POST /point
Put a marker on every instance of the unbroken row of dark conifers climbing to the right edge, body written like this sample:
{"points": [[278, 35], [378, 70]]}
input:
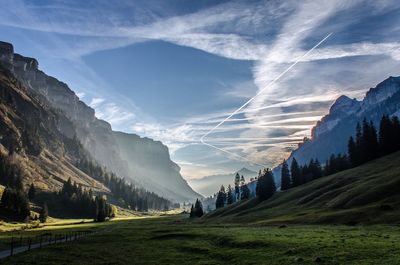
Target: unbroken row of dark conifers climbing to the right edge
{"points": [[366, 145]]}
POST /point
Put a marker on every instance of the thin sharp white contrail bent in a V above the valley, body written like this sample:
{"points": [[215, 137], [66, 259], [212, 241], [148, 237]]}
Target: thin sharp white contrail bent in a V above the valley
{"points": [[250, 100]]}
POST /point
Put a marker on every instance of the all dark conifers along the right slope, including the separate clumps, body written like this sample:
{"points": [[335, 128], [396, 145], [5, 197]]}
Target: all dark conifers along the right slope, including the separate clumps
{"points": [[368, 144]]}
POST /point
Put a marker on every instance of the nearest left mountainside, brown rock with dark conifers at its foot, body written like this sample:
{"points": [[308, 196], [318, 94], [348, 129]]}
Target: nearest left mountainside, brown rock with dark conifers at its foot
{"points": [[39, 163]]}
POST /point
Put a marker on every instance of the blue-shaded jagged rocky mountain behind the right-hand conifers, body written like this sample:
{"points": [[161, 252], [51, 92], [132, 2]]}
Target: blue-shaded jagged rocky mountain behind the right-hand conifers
{"points": [[331, 133]]}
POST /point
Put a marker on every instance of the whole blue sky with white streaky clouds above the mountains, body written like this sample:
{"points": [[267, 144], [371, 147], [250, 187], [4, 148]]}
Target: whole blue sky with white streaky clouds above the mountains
{"points": [[172, 70]]}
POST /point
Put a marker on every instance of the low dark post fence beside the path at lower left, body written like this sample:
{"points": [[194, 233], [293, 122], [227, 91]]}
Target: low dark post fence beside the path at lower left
{"points": [[22, 244]]}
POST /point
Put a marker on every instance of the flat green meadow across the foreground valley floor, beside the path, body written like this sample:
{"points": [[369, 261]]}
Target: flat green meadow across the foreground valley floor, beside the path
{"points": [[178, 240]]}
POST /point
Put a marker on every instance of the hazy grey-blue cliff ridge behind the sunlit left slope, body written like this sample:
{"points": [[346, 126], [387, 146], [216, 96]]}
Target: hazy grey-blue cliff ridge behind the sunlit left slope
{"points": [[143, 161]]}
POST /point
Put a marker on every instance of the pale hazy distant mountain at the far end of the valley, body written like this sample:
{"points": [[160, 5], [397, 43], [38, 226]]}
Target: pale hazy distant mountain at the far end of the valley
{"points": [[209, 185]]}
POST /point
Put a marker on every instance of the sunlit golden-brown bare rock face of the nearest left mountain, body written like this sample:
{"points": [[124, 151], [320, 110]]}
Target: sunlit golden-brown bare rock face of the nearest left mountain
{"points": [[30, 137]]}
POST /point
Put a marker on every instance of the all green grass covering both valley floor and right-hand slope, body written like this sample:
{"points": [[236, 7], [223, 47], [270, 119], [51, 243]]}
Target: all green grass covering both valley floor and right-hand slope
{"points": [[251, 232]]}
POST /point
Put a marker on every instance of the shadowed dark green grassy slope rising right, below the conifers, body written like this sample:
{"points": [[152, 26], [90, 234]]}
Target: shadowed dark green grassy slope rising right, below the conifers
{"points": [[360, 195]]}
